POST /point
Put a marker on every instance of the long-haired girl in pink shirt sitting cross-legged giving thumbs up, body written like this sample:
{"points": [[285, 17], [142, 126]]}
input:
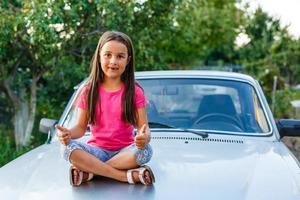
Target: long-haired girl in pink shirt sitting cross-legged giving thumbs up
{"points": [[112, 103]]}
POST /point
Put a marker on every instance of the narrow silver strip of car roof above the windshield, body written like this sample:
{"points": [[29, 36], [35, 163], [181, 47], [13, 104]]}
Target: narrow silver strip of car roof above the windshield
{"points": [[194, 73]]}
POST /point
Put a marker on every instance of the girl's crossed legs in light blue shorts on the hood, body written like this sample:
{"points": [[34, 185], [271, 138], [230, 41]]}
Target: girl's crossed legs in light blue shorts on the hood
{"points": [[112, 164]]}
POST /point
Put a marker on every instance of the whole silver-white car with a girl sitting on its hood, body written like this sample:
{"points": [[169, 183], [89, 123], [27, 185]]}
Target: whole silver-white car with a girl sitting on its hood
{"points": [[213, 136]]}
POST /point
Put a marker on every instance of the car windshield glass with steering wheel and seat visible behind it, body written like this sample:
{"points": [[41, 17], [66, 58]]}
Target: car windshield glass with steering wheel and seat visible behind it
{"points": [[204, 104]]}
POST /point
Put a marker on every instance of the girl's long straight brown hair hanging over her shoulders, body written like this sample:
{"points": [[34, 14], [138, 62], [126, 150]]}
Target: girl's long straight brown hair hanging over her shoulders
{"points": [[96, 77]]}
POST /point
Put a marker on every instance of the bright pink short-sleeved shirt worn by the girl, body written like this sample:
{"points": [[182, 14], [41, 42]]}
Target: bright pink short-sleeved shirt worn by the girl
{"points": [[110, 131]]}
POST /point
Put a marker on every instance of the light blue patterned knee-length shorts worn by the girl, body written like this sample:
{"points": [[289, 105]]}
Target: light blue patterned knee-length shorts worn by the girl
{"points": [[142, 156]]}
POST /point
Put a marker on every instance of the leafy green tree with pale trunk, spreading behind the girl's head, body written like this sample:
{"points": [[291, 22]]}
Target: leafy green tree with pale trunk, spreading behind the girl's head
{"points": [[46, 47]]}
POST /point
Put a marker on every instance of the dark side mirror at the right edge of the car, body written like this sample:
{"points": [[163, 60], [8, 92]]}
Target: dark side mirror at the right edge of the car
{"points": [[288, 127]]}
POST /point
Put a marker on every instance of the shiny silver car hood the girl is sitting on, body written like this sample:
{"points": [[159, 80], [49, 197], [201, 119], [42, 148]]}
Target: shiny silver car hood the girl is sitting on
{"points": [[184, 167]]}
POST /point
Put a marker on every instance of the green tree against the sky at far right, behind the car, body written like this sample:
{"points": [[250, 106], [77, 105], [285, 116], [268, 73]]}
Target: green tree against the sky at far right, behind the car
{"points": [[271, 53]]}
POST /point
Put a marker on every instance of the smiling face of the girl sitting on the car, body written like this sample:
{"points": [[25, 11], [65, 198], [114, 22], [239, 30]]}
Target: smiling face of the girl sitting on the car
{"points": [[114, 58]]}
